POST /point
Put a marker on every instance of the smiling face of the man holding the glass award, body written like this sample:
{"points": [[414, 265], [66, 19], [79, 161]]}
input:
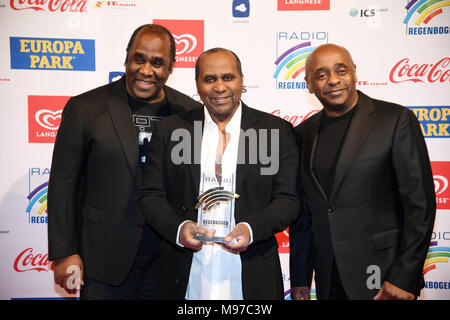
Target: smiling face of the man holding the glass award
{"points": [[219, 84]]}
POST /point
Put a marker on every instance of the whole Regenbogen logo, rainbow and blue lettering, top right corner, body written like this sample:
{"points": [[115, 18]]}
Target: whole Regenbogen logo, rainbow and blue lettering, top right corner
{"points": [[427, 17]]}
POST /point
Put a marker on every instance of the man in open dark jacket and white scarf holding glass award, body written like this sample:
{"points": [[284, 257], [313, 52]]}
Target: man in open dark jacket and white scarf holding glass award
{"points": [[266, 203]]}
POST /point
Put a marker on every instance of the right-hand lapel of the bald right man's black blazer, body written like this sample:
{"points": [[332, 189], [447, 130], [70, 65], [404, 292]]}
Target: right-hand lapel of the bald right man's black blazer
{"points": [[360, 126]]}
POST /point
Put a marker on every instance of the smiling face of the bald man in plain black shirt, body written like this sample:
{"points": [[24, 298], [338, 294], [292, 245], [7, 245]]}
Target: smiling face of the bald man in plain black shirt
{"points": [[331, 77]]}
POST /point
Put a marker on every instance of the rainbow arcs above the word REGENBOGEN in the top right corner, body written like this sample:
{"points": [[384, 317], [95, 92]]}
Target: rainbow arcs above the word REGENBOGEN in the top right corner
{"points": [[427, 10]]}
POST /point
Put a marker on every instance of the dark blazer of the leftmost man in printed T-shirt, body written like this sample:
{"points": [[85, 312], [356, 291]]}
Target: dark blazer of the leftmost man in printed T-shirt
{"points": [[94, 182]]}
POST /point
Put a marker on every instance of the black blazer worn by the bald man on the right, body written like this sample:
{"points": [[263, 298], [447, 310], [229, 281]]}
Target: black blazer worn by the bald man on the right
{"points": [[382, 205]]}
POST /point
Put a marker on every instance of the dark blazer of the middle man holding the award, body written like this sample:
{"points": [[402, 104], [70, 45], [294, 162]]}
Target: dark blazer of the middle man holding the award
{"points": [[267, 202]]}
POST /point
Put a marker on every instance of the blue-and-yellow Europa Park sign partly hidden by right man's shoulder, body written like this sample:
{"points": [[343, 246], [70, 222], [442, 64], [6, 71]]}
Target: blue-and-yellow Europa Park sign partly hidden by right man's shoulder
{"points": [[434, 120]]}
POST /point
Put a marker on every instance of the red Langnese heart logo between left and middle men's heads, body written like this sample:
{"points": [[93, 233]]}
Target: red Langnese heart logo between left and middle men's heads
{"points": [[189, 40]]}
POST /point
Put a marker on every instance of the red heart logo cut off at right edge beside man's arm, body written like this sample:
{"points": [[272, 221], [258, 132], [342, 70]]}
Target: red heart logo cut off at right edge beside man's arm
{"points": [[441, 177]]}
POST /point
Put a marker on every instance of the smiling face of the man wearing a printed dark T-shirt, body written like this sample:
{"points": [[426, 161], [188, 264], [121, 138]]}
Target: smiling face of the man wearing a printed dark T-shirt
{"points": [[148, 66]]}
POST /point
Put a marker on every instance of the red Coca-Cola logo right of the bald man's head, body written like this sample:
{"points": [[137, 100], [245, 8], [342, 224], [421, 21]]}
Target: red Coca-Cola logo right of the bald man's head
{"points": [[404, 71]]}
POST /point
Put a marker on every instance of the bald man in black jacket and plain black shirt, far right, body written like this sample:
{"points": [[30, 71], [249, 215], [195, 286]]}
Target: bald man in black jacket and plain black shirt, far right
{"points": [[369, 188]]}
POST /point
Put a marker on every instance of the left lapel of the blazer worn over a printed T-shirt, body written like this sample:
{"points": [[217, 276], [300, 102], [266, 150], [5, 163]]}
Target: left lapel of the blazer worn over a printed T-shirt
{"points": [[119, 110]]}
